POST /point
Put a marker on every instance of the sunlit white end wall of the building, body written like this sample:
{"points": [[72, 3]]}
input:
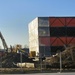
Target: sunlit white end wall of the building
{"points": [[33, 35]]}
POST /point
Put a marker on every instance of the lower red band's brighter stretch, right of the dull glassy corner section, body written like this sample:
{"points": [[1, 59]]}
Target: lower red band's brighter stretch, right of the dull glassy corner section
{"points": [[61, 41]]}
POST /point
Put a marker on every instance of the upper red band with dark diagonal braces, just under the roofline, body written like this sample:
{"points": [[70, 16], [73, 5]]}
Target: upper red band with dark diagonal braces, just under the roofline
{"points": [[61, 21]]}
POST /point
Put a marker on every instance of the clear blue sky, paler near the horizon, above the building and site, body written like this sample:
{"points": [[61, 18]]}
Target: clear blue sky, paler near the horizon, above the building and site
{"points": [[15, 16]]}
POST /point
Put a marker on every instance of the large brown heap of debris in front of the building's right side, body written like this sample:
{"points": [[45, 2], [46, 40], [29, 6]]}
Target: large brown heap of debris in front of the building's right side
{"points": [[67, 56]]}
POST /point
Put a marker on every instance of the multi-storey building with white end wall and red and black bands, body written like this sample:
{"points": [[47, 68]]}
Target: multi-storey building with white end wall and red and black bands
{"points": [[47, 35]]}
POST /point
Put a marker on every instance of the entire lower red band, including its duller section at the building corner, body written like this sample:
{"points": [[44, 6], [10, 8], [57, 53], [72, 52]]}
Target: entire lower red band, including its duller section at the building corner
{"points": [[54, 41]]}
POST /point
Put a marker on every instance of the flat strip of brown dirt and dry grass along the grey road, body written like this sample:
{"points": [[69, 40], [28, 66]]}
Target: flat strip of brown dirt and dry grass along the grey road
{"points": [[32, 70]]}
